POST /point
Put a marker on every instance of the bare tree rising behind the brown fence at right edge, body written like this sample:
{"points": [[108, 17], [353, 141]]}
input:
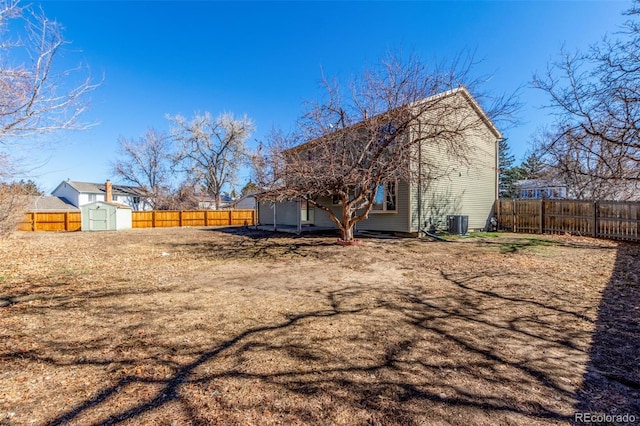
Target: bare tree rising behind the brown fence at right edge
{"points": [[594, 143]]}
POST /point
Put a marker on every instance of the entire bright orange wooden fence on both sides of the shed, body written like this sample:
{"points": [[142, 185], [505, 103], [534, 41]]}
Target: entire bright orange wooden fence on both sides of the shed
{"points": [[71, 221]]}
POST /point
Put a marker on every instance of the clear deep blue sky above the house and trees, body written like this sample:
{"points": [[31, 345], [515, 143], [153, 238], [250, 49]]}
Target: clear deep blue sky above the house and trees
{"points": [[264, 59]]}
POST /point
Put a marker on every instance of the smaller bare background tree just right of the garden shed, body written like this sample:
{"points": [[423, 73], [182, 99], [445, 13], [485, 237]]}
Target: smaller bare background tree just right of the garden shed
{"points": [[146, 163]]}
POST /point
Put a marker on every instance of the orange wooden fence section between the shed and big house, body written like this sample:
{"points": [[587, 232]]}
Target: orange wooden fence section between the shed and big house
{"points": [[173, 218]]}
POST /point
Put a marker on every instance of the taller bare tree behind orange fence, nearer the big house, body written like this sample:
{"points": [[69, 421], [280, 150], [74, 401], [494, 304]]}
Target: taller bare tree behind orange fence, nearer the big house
{"points": [[211, 151]]}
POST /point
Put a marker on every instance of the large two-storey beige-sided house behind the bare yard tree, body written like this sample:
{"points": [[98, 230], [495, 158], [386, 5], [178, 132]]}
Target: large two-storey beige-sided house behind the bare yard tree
{"points": [[461, 188]]}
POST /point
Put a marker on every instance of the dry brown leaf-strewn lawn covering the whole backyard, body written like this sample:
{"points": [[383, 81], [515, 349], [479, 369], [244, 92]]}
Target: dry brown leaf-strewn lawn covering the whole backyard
{"points": [[235, 326]]}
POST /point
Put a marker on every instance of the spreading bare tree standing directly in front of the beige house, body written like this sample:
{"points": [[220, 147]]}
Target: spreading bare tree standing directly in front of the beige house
{"points": [[350, 150]]}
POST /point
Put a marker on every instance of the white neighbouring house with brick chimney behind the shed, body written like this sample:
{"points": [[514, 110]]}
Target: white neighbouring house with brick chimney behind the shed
{"points": [[81, 193]]}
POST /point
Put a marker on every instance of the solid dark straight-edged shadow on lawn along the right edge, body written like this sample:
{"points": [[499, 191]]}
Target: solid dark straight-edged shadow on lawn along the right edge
{"points": [[611, 384]]}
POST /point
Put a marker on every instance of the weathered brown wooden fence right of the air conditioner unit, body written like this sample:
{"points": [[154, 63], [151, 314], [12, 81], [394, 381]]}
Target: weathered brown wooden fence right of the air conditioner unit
{"points": [[600, 219]]}
